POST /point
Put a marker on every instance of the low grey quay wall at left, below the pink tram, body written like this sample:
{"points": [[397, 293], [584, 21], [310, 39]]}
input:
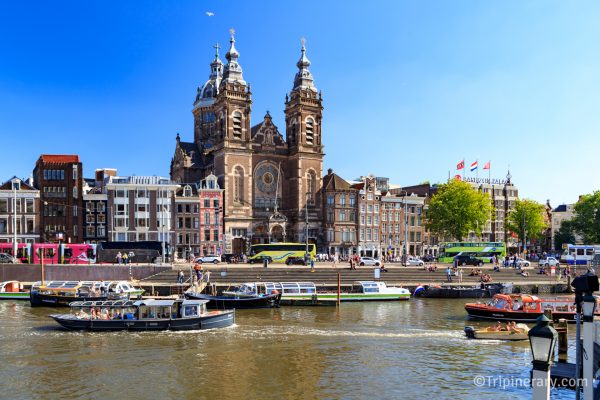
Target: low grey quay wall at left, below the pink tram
{"points": [[28, 273]]}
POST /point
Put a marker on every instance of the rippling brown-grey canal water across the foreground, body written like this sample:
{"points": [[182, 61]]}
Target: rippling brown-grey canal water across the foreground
{"points": [[385, 350]]}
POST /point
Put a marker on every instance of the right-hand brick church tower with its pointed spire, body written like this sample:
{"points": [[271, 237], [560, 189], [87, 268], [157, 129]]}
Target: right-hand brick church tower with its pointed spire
{"points": [[303, 116]]}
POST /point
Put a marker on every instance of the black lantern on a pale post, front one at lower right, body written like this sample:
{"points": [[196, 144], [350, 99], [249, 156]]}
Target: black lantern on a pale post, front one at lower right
{"points": [[542, 339]]}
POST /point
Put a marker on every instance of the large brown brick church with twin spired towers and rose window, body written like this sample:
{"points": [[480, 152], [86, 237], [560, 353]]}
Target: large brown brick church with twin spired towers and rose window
{"points": [[272, 181]]}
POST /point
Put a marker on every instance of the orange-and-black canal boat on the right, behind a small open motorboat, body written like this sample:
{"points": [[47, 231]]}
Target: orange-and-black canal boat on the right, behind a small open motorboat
{"points": [[523, 308]]}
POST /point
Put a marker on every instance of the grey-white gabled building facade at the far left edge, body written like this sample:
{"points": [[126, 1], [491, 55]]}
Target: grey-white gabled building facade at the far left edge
{"points": [[19, 212]]}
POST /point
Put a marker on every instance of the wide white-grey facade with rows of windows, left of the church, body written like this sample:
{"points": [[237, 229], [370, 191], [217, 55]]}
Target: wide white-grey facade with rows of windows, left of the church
{"points": [[140, 208]]}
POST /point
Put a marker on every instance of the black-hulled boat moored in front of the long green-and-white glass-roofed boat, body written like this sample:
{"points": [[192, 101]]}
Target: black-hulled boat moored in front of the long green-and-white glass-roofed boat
{"points": [[245, 296]]}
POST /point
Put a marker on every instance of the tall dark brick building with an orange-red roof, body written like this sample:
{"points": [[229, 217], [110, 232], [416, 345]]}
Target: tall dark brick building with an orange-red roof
{"points": [[59, 180]]}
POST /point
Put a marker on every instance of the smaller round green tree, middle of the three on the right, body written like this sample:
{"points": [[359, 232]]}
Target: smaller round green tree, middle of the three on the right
{"points": [[527, 219]]}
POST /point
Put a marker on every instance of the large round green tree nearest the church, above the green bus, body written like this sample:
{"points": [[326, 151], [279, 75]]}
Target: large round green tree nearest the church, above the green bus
{"points": [[458, 209]]}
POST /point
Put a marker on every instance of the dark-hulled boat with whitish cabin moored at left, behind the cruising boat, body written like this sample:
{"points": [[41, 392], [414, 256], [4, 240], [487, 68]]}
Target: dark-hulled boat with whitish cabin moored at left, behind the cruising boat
{"points": [[61, 293]]}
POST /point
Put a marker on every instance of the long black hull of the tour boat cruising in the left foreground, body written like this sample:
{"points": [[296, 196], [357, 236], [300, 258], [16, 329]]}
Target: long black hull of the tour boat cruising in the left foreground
{"points": [[209, 321]]}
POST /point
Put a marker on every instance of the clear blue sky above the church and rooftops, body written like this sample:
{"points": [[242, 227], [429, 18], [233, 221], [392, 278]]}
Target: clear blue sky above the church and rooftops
{"points": [[410, 87]]}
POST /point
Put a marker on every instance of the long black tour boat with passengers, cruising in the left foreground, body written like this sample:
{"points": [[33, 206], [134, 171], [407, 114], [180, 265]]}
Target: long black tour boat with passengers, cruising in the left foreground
{"points": [[143, 315]]}
